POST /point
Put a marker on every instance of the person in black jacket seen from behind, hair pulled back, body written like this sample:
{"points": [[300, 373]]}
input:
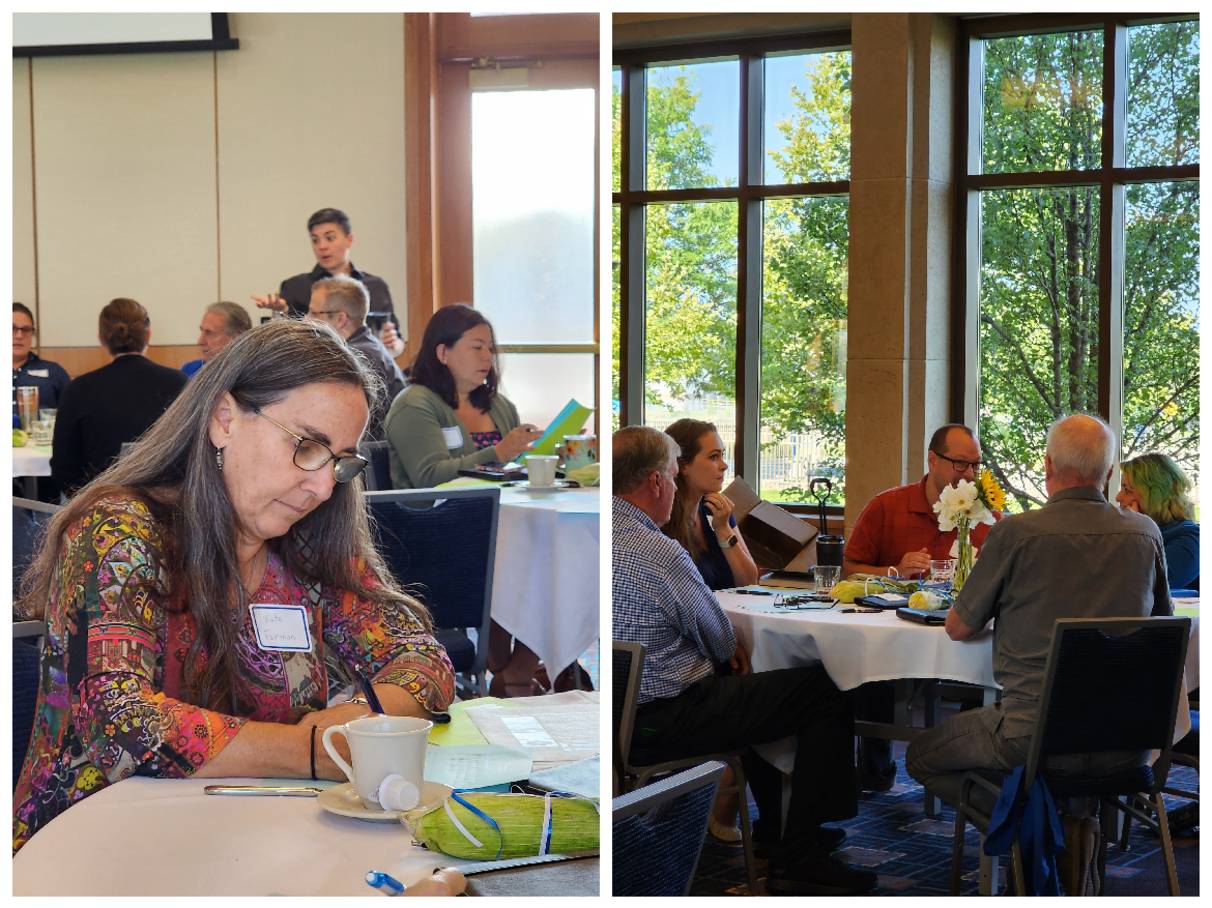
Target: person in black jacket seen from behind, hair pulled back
{"points": [[113, 404]]}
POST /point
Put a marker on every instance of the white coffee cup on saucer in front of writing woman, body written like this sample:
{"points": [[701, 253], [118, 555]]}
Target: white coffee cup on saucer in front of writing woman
{"points": [[381, 746]]}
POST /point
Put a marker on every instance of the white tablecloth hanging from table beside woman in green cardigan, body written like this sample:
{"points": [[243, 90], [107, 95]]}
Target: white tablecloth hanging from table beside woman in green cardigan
{"points": [[545, 587]]}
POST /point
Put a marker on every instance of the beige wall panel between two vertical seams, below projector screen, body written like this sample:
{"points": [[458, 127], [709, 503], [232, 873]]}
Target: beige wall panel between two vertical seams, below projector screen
{"points": [[124, 155]]}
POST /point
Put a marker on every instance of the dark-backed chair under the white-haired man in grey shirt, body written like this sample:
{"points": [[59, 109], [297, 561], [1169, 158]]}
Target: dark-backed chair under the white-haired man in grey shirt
{"points": [[1111, 686]]}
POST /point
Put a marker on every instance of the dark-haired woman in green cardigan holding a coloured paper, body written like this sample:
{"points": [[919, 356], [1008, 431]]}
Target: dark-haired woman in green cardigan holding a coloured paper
{"points": [[451, 418]]}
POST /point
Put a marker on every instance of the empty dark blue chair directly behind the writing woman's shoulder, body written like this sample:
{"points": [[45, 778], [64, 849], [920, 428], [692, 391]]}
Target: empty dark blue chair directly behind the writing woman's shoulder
{"points": [[442, 546]]}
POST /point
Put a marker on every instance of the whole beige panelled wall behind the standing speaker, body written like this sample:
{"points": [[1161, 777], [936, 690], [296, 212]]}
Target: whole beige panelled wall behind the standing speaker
{"points": [[181, 179]]}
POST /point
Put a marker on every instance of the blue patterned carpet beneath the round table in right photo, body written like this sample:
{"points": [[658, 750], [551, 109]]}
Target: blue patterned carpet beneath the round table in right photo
{"points": [[912, 853]]}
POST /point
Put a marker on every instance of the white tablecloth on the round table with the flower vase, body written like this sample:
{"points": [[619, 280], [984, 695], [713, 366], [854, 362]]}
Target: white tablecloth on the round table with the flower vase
{"points": [[855, 648]]}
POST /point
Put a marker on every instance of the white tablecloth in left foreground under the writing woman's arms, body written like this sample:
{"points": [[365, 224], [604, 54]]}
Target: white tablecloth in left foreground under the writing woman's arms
{"points": [[157, 837]]}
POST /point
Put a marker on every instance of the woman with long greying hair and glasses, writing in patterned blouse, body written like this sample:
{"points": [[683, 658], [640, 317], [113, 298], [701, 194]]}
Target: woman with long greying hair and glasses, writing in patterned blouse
{"points": [[241, 495]]}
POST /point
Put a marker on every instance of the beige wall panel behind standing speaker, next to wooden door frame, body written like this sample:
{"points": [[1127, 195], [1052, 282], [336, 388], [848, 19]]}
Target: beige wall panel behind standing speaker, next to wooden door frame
{"points": [[311, 116]]}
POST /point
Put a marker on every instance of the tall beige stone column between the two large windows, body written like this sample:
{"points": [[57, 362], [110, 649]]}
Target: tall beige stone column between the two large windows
{"points": [[901, 218]]}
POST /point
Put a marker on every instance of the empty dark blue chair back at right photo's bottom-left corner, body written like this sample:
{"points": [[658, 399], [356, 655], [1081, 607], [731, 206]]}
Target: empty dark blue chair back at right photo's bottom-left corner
{"points": [[659, 833]]}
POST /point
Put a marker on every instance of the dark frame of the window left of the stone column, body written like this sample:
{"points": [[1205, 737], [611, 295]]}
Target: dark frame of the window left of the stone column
{"points": [[750, 195]]}
